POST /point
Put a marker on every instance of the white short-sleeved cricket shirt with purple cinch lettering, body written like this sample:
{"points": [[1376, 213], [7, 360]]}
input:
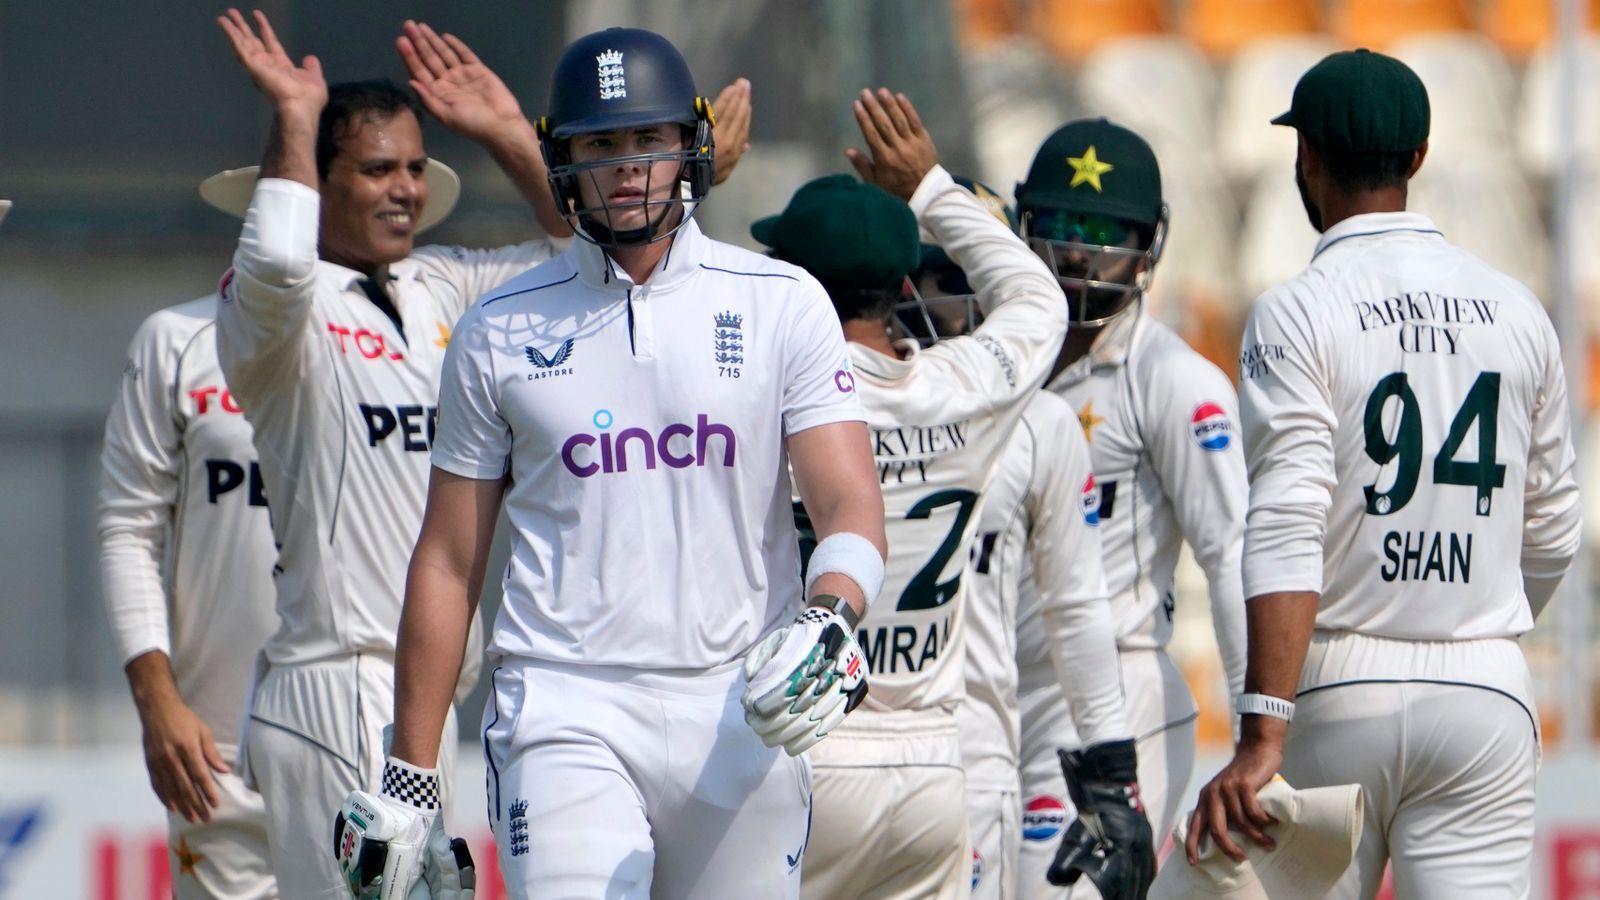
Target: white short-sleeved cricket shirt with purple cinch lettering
{"points": [[644, 432]]}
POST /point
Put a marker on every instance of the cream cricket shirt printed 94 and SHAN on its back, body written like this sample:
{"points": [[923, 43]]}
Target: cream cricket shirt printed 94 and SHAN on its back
{"points": [[1409, 440]]}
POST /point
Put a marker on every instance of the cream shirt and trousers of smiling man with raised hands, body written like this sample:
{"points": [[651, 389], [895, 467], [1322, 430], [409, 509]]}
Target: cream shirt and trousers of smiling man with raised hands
{"points": [[343, 409]]}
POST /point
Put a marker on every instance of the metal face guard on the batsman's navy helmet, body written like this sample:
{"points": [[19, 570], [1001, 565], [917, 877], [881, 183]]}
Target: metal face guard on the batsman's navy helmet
{"points": [[596, 223]]}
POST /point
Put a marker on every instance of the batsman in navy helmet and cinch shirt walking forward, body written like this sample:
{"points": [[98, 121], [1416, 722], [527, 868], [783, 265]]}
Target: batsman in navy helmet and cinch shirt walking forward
{"points": [[636, 404]]}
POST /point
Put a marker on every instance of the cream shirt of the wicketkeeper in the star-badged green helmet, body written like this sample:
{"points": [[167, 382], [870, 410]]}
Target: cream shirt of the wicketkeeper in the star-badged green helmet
{"points": [[1161, 422]]}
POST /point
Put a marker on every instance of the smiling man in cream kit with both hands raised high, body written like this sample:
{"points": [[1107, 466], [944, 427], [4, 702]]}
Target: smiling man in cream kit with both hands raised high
{"points": [[332, 331]]}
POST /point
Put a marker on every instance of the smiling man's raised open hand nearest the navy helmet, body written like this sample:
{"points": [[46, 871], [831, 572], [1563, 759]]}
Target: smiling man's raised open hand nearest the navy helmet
{"points": [[455, 86]]}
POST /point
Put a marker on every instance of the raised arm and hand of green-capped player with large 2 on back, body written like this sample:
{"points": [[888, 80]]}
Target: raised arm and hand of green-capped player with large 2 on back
{"points": [[1026, 315]]}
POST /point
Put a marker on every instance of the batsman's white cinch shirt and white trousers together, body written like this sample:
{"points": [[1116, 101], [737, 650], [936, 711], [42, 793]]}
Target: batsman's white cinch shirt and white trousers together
{"points": [[644, 433]]}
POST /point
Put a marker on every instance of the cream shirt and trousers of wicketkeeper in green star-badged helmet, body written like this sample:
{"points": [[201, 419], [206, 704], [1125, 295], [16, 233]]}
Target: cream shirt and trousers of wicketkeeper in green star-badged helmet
{"points": [[1167, 460]]}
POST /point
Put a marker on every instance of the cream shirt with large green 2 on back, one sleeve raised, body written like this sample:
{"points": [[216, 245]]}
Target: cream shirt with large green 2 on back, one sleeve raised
{"points": [[940, 424]]}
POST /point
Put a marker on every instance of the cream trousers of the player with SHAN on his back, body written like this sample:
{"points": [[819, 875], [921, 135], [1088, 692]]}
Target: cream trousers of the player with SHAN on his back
{"points": [[1444, 742]]}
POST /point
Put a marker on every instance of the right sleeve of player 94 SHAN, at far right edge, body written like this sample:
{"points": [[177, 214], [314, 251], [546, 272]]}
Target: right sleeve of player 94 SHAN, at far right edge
{"points": [[1553, 518]]}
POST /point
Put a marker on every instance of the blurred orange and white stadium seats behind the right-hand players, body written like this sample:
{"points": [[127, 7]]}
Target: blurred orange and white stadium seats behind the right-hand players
{"points": [[1201, 79]]}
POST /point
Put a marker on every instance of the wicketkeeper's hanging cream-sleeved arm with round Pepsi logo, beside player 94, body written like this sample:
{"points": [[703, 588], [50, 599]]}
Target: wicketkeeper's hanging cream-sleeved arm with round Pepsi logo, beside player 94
{"points": [[1204, 475]]}
